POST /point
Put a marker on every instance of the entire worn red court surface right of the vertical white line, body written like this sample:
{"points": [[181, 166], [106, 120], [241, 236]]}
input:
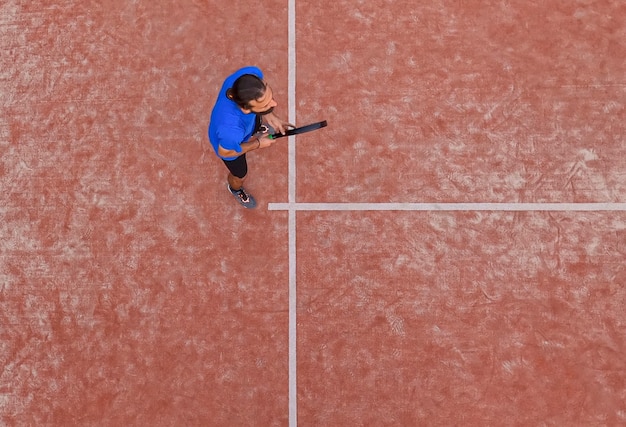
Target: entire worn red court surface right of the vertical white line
{"points": [[461, 317]]}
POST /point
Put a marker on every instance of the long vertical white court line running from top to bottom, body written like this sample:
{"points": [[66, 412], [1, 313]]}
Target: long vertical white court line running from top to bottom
{"points": [[291, 94]]}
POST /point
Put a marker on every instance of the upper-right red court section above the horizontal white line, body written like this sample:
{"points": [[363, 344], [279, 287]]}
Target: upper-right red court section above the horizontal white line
{"points": [[463, 101]]}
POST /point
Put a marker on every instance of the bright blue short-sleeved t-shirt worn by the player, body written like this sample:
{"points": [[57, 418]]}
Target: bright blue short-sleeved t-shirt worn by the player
{"points": [[229, 126]]}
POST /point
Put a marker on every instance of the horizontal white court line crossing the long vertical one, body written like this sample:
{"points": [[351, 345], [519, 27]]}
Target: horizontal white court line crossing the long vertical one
{"points": [[515, 207]]}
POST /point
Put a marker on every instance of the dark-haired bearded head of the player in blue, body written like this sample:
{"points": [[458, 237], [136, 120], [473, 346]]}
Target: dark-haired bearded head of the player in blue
{"points": [[252, 95]]}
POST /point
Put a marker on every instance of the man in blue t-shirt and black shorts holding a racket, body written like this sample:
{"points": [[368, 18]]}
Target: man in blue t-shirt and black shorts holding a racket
{"points": [[239, 120]]}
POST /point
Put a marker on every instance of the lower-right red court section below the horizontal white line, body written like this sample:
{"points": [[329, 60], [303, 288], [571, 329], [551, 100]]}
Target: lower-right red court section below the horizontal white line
{"points": [[448, 318]]}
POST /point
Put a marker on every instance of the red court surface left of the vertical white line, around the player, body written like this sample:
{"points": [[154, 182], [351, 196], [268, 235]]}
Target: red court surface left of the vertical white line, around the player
{"points": [[133, 291]]}
